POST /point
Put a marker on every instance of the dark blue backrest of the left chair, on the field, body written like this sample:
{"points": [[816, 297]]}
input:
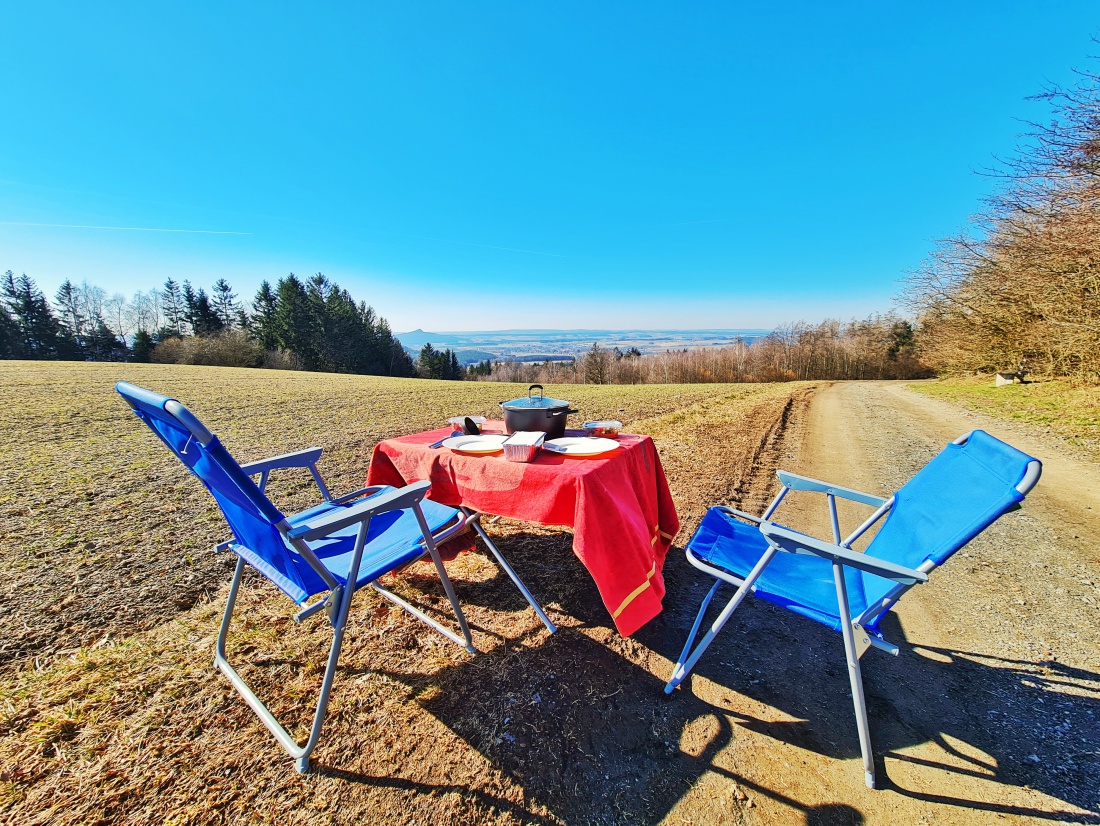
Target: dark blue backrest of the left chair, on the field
{"points": [[250, 514]]}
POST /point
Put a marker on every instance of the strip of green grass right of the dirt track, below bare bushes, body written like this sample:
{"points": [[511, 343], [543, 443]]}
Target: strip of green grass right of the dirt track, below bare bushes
{"points": [[1065, 409]]}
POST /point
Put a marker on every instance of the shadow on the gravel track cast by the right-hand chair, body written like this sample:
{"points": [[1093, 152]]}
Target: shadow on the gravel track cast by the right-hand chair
{"points": [[914, 699]]}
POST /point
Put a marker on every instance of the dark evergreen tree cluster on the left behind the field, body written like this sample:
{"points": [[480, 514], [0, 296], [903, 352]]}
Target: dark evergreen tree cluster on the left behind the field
{"points": [[313, 325]]}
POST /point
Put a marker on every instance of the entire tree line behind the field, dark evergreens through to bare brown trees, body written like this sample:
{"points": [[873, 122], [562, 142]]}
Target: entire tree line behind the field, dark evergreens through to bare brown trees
{"points": [[317, 326]]}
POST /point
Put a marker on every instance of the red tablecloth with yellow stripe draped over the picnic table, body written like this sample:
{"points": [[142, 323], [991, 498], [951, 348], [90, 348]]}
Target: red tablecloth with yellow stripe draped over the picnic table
{"points": [[619, 506]]}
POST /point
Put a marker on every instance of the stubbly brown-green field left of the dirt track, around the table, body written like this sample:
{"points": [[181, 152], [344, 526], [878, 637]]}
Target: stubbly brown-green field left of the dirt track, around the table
{"points": [[111, 711]]}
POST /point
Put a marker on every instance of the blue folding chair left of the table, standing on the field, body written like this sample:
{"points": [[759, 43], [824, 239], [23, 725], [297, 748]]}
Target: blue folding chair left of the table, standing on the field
{"points": [[334, 548]]}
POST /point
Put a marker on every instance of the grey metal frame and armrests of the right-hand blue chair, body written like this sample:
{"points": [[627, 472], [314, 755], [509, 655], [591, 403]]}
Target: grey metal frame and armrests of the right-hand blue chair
{"points": [[857, 640]]}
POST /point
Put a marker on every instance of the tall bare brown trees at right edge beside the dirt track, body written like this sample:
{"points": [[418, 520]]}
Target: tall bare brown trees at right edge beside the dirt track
{"points": [[1021, 284]]}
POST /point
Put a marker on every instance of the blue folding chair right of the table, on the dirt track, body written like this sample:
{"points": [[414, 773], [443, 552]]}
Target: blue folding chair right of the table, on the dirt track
{"points": [[952, 500]]}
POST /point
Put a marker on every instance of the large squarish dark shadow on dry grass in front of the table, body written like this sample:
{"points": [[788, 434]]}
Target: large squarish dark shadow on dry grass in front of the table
{"points": [[584, 731]]}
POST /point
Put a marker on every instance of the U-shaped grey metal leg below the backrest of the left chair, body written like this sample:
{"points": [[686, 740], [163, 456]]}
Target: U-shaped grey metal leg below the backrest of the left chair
{"points": [[300, 754]]}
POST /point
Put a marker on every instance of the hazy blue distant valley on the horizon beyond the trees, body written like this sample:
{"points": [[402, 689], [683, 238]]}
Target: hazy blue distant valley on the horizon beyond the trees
{"points": [[532, 346]]}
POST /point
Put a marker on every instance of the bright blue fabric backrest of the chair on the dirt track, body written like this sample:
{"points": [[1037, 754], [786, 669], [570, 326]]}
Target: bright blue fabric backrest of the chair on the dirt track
{"points": [[952, 500]]}
